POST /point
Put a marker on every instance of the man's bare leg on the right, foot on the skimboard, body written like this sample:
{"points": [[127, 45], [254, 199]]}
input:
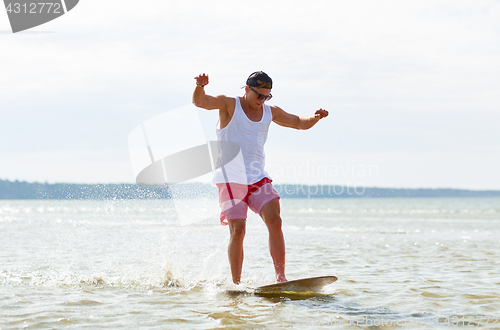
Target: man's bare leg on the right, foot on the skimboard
{"points": [[270, 213]]}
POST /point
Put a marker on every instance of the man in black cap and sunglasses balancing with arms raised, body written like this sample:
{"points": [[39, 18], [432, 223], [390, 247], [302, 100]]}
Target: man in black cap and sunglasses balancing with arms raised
{"points": [[243, 182]]}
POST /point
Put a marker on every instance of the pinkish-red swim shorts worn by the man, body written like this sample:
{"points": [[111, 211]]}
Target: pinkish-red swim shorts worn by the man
{"points": [[236, 198]]}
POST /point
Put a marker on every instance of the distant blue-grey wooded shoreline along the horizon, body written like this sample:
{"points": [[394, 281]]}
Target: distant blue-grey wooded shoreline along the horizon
{"points": [[35, 190]]}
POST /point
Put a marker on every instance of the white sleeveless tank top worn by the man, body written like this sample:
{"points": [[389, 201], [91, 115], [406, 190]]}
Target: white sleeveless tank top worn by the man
{"points": [[248, 166]]}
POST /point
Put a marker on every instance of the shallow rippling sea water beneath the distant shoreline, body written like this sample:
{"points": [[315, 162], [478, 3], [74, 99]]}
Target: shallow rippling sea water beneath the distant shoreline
{"points": [[125, 264]]}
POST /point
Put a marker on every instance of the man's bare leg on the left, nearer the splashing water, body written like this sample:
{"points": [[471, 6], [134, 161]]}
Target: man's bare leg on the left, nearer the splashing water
{"points": [[235, 248]]}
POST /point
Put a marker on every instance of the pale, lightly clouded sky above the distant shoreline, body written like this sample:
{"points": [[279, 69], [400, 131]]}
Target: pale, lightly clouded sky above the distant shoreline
{"points": [[412, 87]]}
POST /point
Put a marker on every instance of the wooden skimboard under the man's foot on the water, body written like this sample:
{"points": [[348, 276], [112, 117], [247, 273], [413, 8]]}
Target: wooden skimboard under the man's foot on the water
{"points": [[303, 287]]}
